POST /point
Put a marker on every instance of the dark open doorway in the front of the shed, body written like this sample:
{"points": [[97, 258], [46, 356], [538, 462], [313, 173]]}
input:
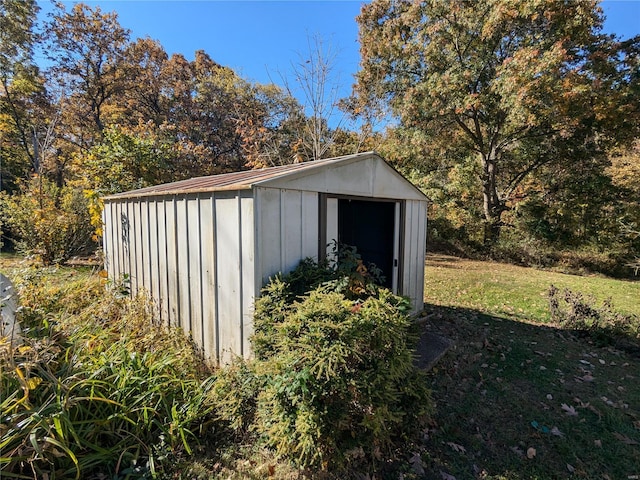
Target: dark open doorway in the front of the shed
{"points": [[369, 226]]}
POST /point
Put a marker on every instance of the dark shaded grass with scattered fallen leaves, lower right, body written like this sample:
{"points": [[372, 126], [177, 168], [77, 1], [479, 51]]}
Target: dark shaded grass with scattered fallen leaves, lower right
{"points": [[523, 401]]}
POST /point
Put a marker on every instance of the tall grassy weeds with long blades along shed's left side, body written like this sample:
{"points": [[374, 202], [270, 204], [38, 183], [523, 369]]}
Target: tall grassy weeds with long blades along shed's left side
{"points": [[105, 391]]}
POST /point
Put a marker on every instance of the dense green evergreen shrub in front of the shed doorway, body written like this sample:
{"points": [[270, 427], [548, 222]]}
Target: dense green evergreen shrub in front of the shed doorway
{"points": [[340, 388]]}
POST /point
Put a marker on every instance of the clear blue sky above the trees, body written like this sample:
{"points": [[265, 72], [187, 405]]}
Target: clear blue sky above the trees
{"points": [[260, 39]]}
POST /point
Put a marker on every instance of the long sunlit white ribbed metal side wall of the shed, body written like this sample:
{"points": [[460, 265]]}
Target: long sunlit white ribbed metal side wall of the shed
{"points": [[194, 254]]}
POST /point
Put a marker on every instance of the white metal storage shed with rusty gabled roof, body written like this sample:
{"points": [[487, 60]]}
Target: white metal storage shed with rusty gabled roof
{"points": [[204, 247]]}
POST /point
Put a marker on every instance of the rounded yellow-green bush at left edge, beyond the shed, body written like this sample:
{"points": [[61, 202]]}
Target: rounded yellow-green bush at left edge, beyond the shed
{"points": [[50, 222]]}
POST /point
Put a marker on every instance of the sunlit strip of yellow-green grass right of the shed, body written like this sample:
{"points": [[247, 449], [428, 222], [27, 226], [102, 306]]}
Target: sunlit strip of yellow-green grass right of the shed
{"points": [[516, 292]]}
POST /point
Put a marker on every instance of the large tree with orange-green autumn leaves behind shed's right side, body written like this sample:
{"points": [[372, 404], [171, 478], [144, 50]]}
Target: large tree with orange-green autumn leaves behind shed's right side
{"points": [[514, 86]]}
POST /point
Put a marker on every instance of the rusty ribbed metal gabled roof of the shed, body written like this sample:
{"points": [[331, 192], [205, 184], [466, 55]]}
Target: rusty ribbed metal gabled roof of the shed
{"points": [[246, 180]]}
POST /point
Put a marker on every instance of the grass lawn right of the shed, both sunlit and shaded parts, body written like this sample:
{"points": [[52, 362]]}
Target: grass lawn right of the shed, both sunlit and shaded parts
{"points": [[518, 398]]}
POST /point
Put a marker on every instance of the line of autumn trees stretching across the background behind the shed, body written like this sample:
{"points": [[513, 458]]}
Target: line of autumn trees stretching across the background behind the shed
{"points": [[520, 122]]}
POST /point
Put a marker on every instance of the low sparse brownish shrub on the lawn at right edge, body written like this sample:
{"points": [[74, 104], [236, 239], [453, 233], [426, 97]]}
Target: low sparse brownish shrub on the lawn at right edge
{"points": [[574, 311]]}
